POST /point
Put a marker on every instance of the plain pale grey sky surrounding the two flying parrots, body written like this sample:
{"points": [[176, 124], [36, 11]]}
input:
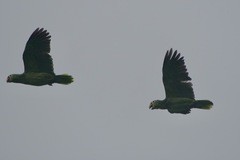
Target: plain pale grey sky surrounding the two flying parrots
{"points": [[115, 50]]}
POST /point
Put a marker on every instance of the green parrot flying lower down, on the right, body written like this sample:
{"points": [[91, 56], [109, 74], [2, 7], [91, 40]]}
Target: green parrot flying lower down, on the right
{"points": [[178, 88]]}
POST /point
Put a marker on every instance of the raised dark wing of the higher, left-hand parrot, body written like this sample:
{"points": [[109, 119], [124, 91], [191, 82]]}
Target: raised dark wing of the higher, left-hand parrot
{"points": [[35, 56]]}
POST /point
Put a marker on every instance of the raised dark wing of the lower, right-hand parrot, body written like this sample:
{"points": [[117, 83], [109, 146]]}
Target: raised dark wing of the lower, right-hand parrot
{"points": [[175, 76]]}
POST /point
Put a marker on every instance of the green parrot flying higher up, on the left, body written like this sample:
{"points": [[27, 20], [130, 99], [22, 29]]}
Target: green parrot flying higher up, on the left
{"points": [[38, 64]]}
